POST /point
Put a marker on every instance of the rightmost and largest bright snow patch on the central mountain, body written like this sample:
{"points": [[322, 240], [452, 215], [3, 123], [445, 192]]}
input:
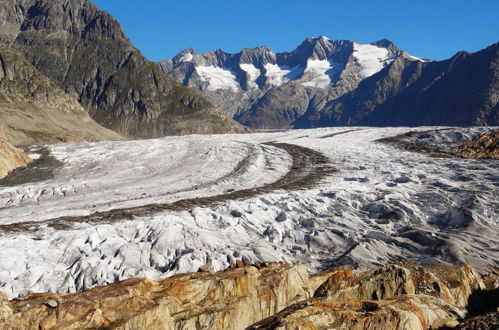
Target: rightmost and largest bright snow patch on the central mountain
{"points": [[372, 59]]}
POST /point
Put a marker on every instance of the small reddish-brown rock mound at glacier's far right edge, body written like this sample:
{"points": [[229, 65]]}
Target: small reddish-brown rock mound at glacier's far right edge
{"points": [[483, 146]]}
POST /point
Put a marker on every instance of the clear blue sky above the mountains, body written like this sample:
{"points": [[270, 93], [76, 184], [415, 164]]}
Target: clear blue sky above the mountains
{"points": [[432, 29]]}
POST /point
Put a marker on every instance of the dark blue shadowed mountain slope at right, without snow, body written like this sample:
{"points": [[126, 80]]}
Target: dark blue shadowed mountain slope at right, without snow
{"points": [[463, 90]]}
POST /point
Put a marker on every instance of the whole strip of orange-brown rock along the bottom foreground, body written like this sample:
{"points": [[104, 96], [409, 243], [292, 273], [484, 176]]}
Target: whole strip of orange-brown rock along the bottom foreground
{"points": [[403, 296]]}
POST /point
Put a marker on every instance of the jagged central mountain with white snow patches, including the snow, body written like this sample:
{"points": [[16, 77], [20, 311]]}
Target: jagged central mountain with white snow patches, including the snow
{"points": [[264, 89]]}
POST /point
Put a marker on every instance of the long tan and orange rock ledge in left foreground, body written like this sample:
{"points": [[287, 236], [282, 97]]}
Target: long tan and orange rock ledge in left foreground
{"points": [[233, 299]]}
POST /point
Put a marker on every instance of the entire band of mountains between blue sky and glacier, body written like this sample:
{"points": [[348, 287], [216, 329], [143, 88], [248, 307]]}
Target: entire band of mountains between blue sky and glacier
{"points": [[68, 69]]}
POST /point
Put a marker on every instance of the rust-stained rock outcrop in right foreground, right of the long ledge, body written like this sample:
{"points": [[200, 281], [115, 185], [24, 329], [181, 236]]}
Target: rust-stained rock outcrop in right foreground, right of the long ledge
{"points": [[400, 296]]}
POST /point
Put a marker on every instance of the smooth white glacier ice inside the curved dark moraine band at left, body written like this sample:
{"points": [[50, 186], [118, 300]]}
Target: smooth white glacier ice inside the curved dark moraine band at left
{"points": [[110, 175]]}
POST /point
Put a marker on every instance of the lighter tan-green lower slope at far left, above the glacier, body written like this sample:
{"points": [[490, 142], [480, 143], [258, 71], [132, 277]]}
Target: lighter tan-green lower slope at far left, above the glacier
{"points": [[34, 110]]}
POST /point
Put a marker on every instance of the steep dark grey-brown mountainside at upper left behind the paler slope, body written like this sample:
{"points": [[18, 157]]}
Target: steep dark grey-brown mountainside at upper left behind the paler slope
{"points": [[84, 51]]}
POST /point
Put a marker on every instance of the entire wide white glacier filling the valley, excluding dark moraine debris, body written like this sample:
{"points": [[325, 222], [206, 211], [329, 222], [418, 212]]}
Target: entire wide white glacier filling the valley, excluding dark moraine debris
{"points": [[382, 204]]}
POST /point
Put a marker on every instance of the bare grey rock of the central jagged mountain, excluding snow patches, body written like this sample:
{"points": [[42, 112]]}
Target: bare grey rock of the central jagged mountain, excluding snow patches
{"points": [[267, 105]]}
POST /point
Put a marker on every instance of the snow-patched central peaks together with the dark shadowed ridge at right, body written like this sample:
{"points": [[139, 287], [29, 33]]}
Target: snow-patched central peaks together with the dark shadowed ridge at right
{"points": [[336, 83]]}
